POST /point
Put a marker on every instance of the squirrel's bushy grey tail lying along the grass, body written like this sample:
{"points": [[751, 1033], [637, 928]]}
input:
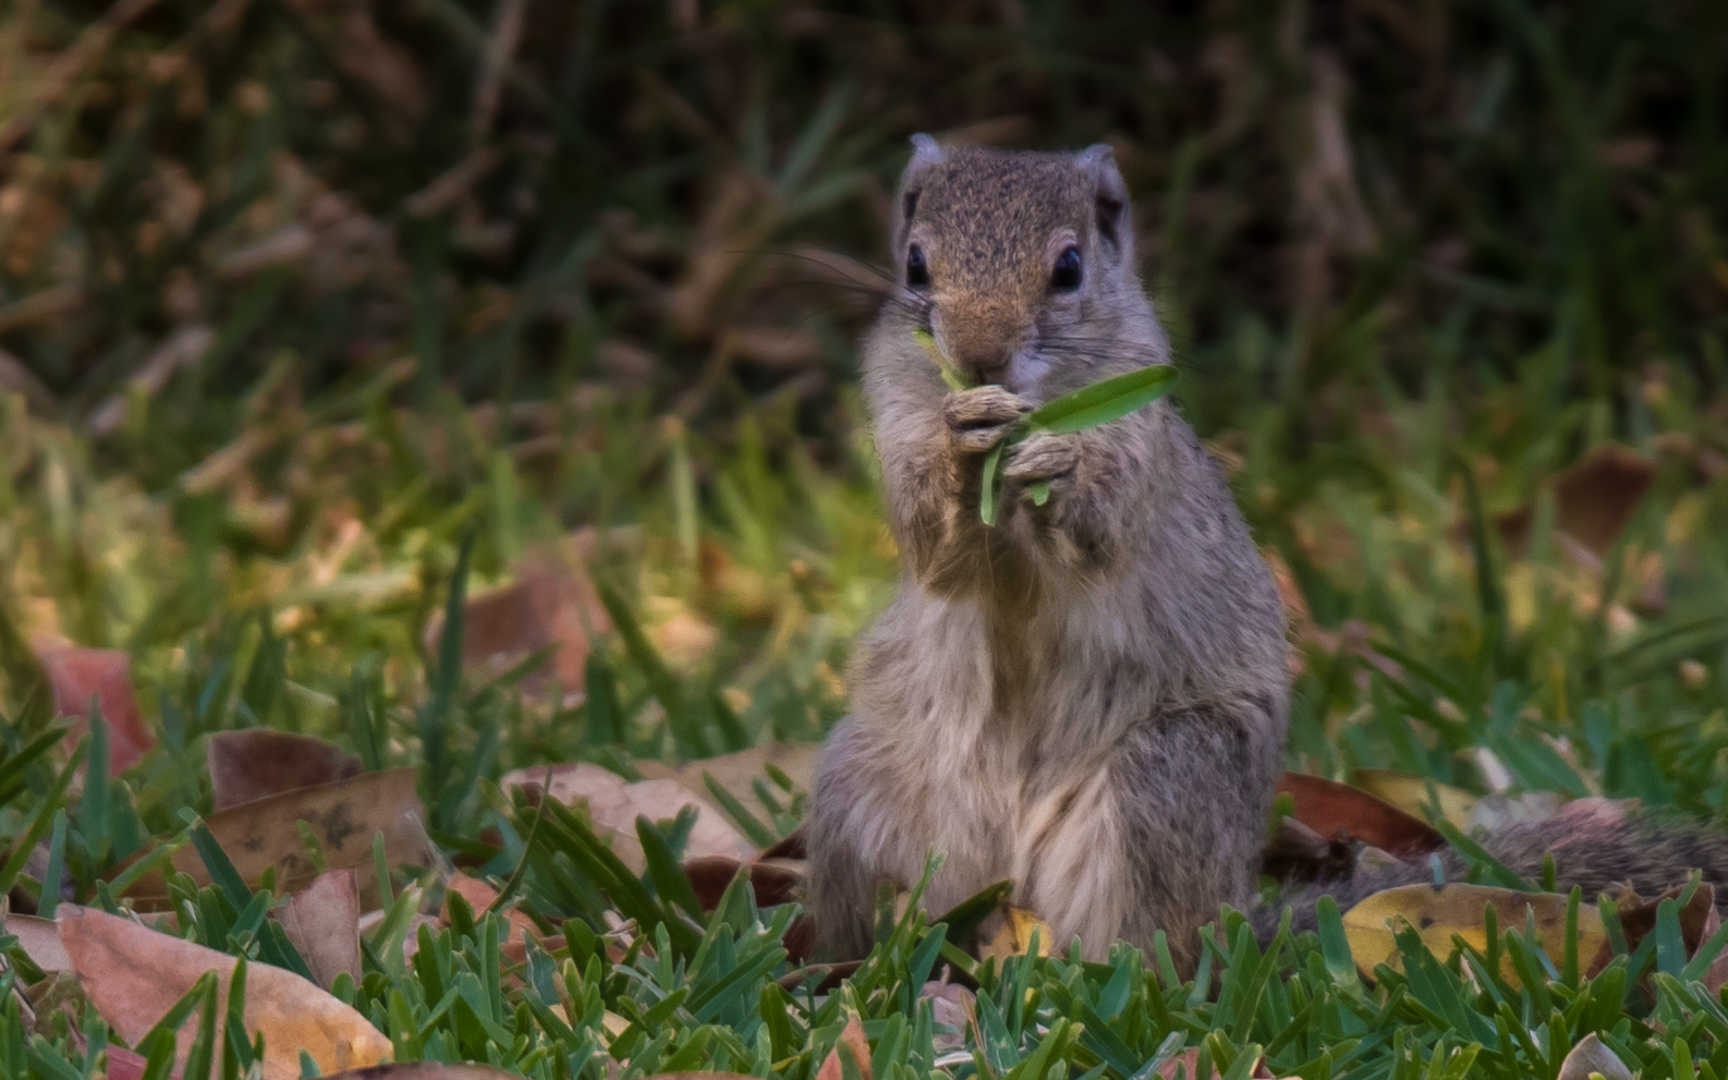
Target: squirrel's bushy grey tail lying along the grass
{"points": [[1598, 846]]}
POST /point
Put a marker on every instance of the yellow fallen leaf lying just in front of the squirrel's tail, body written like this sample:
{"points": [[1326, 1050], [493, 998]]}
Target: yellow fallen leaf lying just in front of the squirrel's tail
{"points": [[1437, 915]]}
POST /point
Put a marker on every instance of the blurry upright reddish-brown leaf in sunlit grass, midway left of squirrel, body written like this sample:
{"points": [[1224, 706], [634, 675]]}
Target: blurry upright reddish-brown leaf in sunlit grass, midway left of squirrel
{"points": [[549, 606]]}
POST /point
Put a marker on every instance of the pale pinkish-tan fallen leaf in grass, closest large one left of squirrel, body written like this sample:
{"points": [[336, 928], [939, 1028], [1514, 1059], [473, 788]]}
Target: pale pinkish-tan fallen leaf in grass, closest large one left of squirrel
{"points": [[614, 806]]}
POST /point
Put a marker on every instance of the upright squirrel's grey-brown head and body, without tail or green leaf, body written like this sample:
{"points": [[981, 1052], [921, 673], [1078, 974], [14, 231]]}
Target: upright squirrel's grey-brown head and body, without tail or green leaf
{"points": [[1090, 697]]}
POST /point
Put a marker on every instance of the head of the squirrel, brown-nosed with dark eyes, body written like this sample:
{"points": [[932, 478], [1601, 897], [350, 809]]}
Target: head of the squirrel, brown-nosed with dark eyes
{"points": [[1022, 265]]}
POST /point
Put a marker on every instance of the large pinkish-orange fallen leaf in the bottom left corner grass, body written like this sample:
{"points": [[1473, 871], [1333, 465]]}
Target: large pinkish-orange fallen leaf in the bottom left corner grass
{"points": [[134, 975]]}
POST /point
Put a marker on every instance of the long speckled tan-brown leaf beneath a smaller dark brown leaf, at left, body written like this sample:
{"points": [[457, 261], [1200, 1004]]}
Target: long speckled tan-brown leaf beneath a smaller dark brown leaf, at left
{"points": [[345, 816]]}
